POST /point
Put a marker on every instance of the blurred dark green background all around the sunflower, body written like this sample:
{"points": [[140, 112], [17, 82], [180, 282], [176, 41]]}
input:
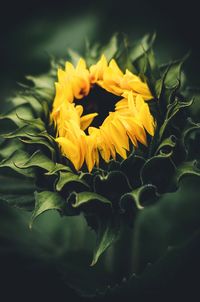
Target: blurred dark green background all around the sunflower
{"points": [[36, 261]]}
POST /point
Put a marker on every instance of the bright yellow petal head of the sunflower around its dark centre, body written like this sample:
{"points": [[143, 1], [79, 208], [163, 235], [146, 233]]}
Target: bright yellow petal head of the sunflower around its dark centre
{"points": [[81, 141]]}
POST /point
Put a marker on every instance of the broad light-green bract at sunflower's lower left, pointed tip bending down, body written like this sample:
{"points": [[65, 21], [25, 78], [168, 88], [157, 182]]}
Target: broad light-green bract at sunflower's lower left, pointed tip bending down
{"points": [[45, 201]]}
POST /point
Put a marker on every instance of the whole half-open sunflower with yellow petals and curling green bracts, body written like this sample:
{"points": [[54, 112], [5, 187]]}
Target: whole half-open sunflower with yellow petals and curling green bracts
{"points": [[105, 136]]}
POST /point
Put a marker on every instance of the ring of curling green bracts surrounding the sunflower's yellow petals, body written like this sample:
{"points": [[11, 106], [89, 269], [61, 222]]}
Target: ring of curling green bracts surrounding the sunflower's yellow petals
{"points": [[110, 196]]}
